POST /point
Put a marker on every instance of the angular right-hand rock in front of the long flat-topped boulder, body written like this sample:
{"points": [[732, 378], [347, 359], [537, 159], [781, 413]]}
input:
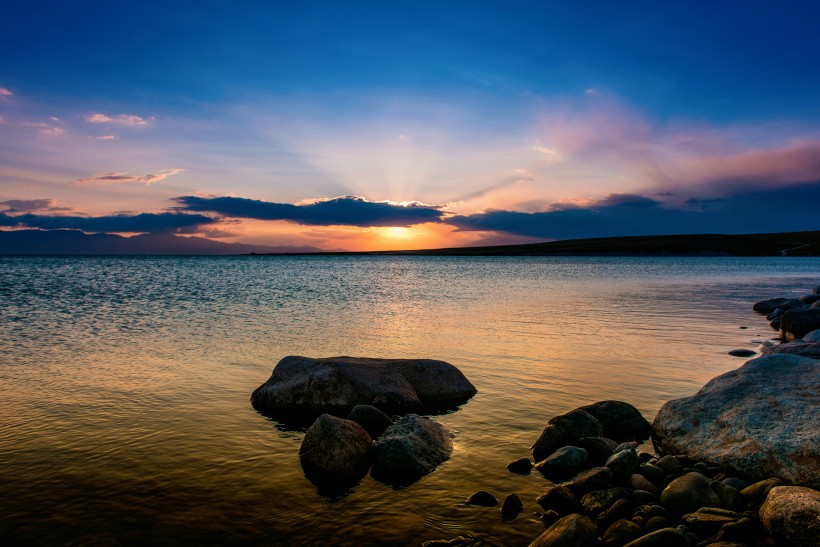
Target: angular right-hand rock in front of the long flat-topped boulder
{"points": [[409, 449]]}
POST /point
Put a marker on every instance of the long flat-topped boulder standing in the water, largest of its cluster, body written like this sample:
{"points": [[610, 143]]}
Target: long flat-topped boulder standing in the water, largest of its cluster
{"points": [[337, 384]]}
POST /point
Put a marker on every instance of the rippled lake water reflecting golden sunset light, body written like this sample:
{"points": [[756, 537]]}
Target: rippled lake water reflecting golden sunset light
{"points": [[124, 382]]}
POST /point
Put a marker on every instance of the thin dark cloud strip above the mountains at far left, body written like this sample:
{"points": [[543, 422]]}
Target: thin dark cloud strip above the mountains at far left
{"points": [[144, 222]]}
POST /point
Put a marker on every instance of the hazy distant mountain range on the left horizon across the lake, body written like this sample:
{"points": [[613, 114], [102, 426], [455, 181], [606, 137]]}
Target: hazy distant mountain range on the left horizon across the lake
{"points": [[72, 242]]}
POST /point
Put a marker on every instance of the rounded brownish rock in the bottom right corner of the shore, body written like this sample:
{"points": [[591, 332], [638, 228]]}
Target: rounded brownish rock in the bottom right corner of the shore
{"points": [[793, 513]]}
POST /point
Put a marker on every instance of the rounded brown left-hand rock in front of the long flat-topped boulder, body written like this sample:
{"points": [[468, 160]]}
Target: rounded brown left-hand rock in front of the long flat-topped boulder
{"points": [[335, 450]]}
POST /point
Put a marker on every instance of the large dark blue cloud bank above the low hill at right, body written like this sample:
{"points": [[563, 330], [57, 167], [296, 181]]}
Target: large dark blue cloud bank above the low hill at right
{"points": [[772, 210]]}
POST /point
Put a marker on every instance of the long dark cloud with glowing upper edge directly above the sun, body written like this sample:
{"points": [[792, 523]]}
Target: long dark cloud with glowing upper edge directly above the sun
{"points": [[341, 211]]}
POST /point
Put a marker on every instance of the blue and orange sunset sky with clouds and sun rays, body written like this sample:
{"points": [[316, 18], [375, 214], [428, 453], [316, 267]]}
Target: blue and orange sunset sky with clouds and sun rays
{"points": [[398, 125]]}
